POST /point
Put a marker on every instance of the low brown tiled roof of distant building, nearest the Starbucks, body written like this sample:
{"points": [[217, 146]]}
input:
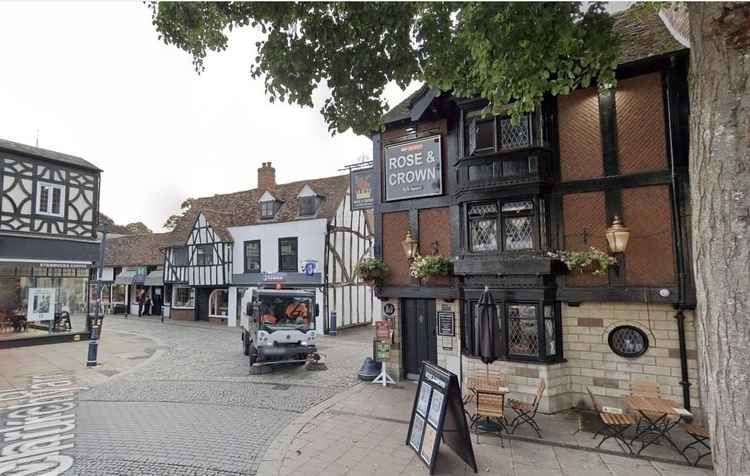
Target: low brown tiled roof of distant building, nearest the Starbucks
{"points": [[137, 250]]}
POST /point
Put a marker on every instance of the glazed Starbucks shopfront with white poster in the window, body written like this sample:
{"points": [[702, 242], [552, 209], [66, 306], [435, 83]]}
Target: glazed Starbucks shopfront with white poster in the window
{"points": [[43, 300]]}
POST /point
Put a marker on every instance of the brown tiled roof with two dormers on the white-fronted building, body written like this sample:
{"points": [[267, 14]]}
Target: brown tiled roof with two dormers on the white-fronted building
{"points": [[241, 208]]}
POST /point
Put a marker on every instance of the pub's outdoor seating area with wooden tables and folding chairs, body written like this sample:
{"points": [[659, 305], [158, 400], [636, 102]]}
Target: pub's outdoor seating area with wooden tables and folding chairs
{"points": [[648, 425]]}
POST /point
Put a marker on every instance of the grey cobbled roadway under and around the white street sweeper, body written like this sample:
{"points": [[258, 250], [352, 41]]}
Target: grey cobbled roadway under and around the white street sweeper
{"points": [[193, 409]]}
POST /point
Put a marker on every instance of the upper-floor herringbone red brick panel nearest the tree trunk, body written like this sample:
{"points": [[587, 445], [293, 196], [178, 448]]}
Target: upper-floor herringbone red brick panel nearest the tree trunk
{"points": [[641, 144]]}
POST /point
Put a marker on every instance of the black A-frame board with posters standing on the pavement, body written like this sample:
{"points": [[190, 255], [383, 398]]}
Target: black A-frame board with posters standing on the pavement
{"points": [[438, 414]]}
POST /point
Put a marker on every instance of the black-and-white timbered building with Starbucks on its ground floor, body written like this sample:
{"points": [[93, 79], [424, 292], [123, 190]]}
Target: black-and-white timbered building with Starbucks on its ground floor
{"points": [[49, 204]]}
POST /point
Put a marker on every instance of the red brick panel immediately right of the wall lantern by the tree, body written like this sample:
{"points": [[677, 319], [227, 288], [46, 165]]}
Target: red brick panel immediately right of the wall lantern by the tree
{"points": [[649, 257]]}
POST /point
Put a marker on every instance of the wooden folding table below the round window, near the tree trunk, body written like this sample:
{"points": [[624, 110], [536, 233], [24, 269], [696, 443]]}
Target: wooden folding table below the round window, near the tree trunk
{"points": [[662, 415]]}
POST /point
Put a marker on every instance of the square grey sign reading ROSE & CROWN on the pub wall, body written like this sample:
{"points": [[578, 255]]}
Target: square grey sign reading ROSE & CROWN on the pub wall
{"points": [[413, 169]]}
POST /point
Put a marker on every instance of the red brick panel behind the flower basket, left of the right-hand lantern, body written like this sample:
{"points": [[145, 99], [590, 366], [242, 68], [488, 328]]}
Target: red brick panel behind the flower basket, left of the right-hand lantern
{"points": [[584, 215]]}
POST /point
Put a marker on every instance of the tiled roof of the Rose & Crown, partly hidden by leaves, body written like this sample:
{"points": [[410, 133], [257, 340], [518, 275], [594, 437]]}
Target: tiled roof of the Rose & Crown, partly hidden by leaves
{"points": [[642, 35]]}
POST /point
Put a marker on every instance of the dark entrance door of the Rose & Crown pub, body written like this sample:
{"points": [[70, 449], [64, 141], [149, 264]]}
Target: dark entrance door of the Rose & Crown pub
{"points": [[420, 336]]}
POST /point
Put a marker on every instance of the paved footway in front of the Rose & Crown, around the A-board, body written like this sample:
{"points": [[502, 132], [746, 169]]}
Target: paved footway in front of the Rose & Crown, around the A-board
{"points": [[361, 431]]}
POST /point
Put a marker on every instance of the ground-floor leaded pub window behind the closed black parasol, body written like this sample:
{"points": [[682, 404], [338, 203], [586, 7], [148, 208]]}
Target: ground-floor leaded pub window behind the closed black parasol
{"points": [[526, 331]]}
